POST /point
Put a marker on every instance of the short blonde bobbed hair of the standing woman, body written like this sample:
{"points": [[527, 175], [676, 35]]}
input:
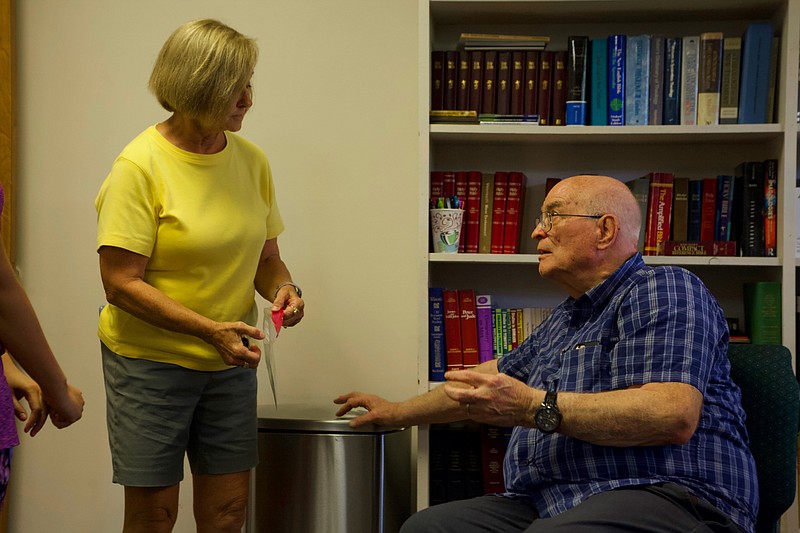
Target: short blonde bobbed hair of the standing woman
{"points": [[201, 68]]}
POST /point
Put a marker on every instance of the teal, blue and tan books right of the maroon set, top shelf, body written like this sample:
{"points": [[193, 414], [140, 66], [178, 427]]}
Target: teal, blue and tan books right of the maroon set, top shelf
{"points": [[704, 79]]}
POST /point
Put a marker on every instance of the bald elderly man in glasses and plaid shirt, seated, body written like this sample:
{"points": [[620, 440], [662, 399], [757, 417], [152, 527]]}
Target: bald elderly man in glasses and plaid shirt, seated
{"points": [[625, 417]]}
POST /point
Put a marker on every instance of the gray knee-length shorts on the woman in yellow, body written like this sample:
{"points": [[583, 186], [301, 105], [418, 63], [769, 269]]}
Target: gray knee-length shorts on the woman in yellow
{"points": [[157, 412]]}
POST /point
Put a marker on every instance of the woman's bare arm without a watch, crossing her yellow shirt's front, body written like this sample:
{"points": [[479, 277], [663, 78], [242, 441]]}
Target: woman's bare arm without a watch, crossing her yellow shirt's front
{"points": [[122, 272]]}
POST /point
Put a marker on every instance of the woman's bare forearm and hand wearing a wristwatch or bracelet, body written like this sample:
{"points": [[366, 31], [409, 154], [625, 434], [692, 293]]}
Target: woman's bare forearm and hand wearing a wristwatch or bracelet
{"points": [[271, 273]]}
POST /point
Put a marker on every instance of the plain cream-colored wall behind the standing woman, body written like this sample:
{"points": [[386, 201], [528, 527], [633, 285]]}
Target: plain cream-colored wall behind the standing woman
{"points": [[336, 112]]}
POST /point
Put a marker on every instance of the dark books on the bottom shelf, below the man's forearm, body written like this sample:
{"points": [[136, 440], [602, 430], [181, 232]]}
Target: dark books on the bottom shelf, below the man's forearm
{"points": [[466, 460]]}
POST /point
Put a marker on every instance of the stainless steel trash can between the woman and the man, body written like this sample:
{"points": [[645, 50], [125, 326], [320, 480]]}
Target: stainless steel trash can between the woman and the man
{"points": [[318, 475]]}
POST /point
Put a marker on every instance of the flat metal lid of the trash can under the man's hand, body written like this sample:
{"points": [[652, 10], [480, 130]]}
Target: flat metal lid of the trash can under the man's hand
{"points": [[313, 419]]}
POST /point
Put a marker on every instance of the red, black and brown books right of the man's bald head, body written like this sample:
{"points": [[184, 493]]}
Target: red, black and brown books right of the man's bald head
{"points": [[727, 215]]}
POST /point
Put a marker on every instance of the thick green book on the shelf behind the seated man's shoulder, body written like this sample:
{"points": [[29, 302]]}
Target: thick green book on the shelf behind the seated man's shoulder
{"points": [[762, 308]]}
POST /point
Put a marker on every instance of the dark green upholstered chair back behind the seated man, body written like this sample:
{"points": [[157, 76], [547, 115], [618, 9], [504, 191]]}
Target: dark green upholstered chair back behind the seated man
{"points": [[771, 401]]}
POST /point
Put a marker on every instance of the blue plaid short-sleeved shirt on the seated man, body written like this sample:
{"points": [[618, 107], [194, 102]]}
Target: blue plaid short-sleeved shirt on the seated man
{"points": [[640, 325]]}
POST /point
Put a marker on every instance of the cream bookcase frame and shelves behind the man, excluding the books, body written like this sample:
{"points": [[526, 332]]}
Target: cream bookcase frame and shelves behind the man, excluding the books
{"points": [[625, 152]]}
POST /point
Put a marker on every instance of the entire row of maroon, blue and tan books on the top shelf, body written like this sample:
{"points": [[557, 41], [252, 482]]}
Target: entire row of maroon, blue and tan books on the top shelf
{"points": [[618, 80]]}
